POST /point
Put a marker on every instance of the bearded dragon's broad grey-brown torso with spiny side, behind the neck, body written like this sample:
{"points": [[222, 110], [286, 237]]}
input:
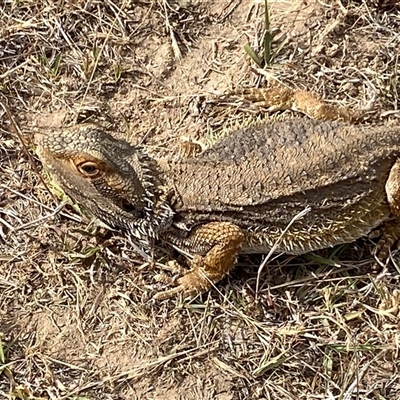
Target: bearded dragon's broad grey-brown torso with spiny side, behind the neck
{"points": [[261, 177]]}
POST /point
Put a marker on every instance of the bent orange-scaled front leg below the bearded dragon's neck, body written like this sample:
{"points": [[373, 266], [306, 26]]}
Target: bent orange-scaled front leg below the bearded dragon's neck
{"points": [[216, 246]]}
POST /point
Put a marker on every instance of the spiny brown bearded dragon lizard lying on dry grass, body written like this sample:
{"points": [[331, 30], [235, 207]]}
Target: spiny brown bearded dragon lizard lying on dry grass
{"points": [[240, 195]]}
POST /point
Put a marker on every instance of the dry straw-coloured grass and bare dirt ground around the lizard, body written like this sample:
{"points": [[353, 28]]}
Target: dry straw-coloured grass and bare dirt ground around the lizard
{"points": [[77, 319]]}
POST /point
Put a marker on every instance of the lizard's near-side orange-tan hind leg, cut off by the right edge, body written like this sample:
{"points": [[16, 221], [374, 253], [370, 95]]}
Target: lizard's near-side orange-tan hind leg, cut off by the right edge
{"points": [[391, 228]]}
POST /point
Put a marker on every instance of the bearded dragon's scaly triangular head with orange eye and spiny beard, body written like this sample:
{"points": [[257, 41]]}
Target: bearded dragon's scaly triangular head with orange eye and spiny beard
{"points": [[109, 177]]}
